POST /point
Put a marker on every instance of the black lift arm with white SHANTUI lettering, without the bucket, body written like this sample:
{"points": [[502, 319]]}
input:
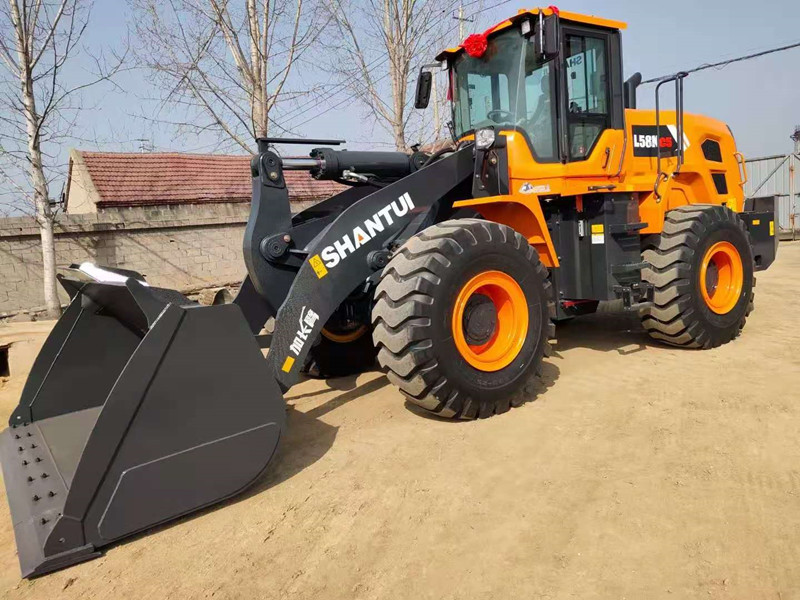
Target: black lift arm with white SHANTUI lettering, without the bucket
{"points": [[307, 268]]}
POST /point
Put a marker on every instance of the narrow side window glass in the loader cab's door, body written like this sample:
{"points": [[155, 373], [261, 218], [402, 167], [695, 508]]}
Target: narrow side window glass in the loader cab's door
{"points": [[587, 92]]}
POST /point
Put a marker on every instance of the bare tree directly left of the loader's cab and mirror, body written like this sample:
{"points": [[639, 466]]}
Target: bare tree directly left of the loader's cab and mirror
{"points": [[378, 48]]}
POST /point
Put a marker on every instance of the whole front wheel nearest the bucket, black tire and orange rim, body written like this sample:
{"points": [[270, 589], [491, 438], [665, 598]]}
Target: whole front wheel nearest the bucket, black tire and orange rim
{"points": [[462, 318]]}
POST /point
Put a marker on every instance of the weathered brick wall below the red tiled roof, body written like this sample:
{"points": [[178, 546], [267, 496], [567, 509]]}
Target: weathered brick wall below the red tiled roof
{"points": [[181, 247]]}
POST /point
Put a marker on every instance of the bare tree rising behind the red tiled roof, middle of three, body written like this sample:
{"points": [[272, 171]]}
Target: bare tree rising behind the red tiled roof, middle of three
{"points": [[228, 66]]}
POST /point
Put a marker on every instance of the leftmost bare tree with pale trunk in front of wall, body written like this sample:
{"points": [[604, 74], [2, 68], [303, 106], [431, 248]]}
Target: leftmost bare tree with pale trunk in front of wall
{"points": [[40, 104]]}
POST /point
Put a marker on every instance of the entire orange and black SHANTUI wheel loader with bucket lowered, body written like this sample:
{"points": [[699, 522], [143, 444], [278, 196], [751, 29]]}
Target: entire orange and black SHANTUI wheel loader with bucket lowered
{"points": [[556, 194]]}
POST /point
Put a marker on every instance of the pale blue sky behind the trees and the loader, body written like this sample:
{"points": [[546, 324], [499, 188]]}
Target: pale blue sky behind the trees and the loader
{"points": [[759, 99]]}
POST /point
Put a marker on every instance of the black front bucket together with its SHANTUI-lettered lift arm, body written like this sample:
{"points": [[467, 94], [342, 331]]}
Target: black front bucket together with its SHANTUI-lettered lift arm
{"points": [[175, 407]]}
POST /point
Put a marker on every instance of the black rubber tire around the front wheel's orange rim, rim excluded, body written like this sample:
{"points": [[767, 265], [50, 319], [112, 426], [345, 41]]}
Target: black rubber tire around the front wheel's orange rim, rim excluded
{"points": [[414, 309]]}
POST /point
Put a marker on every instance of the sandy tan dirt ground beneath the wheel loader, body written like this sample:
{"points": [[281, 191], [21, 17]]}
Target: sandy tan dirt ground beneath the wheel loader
{"points": [[640, 471]]}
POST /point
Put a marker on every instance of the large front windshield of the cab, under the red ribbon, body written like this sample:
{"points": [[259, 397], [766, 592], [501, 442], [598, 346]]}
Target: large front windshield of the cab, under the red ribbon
{"points": [[507, 87]]}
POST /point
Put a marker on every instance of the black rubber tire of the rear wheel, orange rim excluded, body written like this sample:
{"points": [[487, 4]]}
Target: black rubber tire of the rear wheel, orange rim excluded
{"points": [[680, 316]]}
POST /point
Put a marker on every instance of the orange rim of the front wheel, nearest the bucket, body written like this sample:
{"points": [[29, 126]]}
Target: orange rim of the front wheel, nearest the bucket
{"points": [[511, 325]]}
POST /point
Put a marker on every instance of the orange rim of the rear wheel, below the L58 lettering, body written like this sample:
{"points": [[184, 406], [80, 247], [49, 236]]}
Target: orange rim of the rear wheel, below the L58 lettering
{"points": [[721, 277]]}
